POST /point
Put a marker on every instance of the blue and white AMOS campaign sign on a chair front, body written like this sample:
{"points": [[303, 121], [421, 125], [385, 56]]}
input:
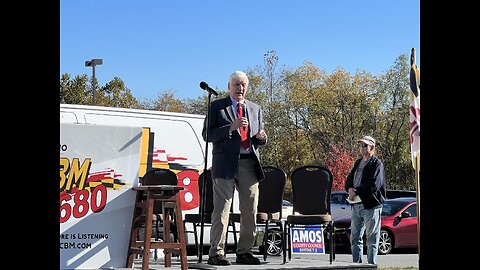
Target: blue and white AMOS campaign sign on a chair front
{"points": [[307, 239]]}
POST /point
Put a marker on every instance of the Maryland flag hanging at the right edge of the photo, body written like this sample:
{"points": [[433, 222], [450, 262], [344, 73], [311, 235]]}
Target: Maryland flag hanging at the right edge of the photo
{"points": [[414, 110]]}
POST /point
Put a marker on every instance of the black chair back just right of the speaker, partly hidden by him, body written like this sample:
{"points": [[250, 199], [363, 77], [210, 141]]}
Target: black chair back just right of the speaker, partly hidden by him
{"points": [[271, 190]]}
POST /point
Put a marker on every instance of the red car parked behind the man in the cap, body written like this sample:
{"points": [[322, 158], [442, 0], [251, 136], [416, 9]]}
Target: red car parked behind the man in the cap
{"points": [[398, 230]]}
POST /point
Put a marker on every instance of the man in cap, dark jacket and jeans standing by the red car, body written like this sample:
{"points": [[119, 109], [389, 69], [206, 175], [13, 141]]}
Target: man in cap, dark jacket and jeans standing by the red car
{"points": [[365, 185]]}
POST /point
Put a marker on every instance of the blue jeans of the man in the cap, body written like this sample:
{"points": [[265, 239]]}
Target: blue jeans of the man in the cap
{"points": [[365, 221]]}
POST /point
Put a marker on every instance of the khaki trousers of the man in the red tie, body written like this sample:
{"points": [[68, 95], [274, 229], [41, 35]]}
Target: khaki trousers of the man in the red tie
{"points": [[246, 183]]}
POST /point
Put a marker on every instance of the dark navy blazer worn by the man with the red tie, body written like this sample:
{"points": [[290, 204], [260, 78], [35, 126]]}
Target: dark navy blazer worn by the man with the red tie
{"points": [[226, 148]]}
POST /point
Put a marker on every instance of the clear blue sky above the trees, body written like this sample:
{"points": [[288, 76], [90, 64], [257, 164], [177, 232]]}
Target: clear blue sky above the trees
{"points": [[155, 46]]}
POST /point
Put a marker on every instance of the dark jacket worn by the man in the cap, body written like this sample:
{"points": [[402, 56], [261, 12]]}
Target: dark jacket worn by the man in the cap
{"points": [[372, 189]]}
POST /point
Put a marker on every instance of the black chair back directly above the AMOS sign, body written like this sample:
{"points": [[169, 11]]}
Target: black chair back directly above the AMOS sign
{"points": [[311, 190]]}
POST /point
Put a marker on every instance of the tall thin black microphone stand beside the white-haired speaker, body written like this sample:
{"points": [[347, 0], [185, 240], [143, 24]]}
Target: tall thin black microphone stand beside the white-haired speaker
{"points": [[200, 265]]}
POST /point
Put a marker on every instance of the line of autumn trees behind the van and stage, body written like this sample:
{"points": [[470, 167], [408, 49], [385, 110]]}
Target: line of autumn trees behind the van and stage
{"points": [[311, 117]]}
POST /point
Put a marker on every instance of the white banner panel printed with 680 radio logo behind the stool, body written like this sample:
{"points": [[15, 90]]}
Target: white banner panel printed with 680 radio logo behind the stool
{"points": [[98, 166]]}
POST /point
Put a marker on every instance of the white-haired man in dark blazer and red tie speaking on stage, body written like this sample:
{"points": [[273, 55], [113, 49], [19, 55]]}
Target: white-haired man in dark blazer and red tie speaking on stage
{"points": [[236, 130]]}
